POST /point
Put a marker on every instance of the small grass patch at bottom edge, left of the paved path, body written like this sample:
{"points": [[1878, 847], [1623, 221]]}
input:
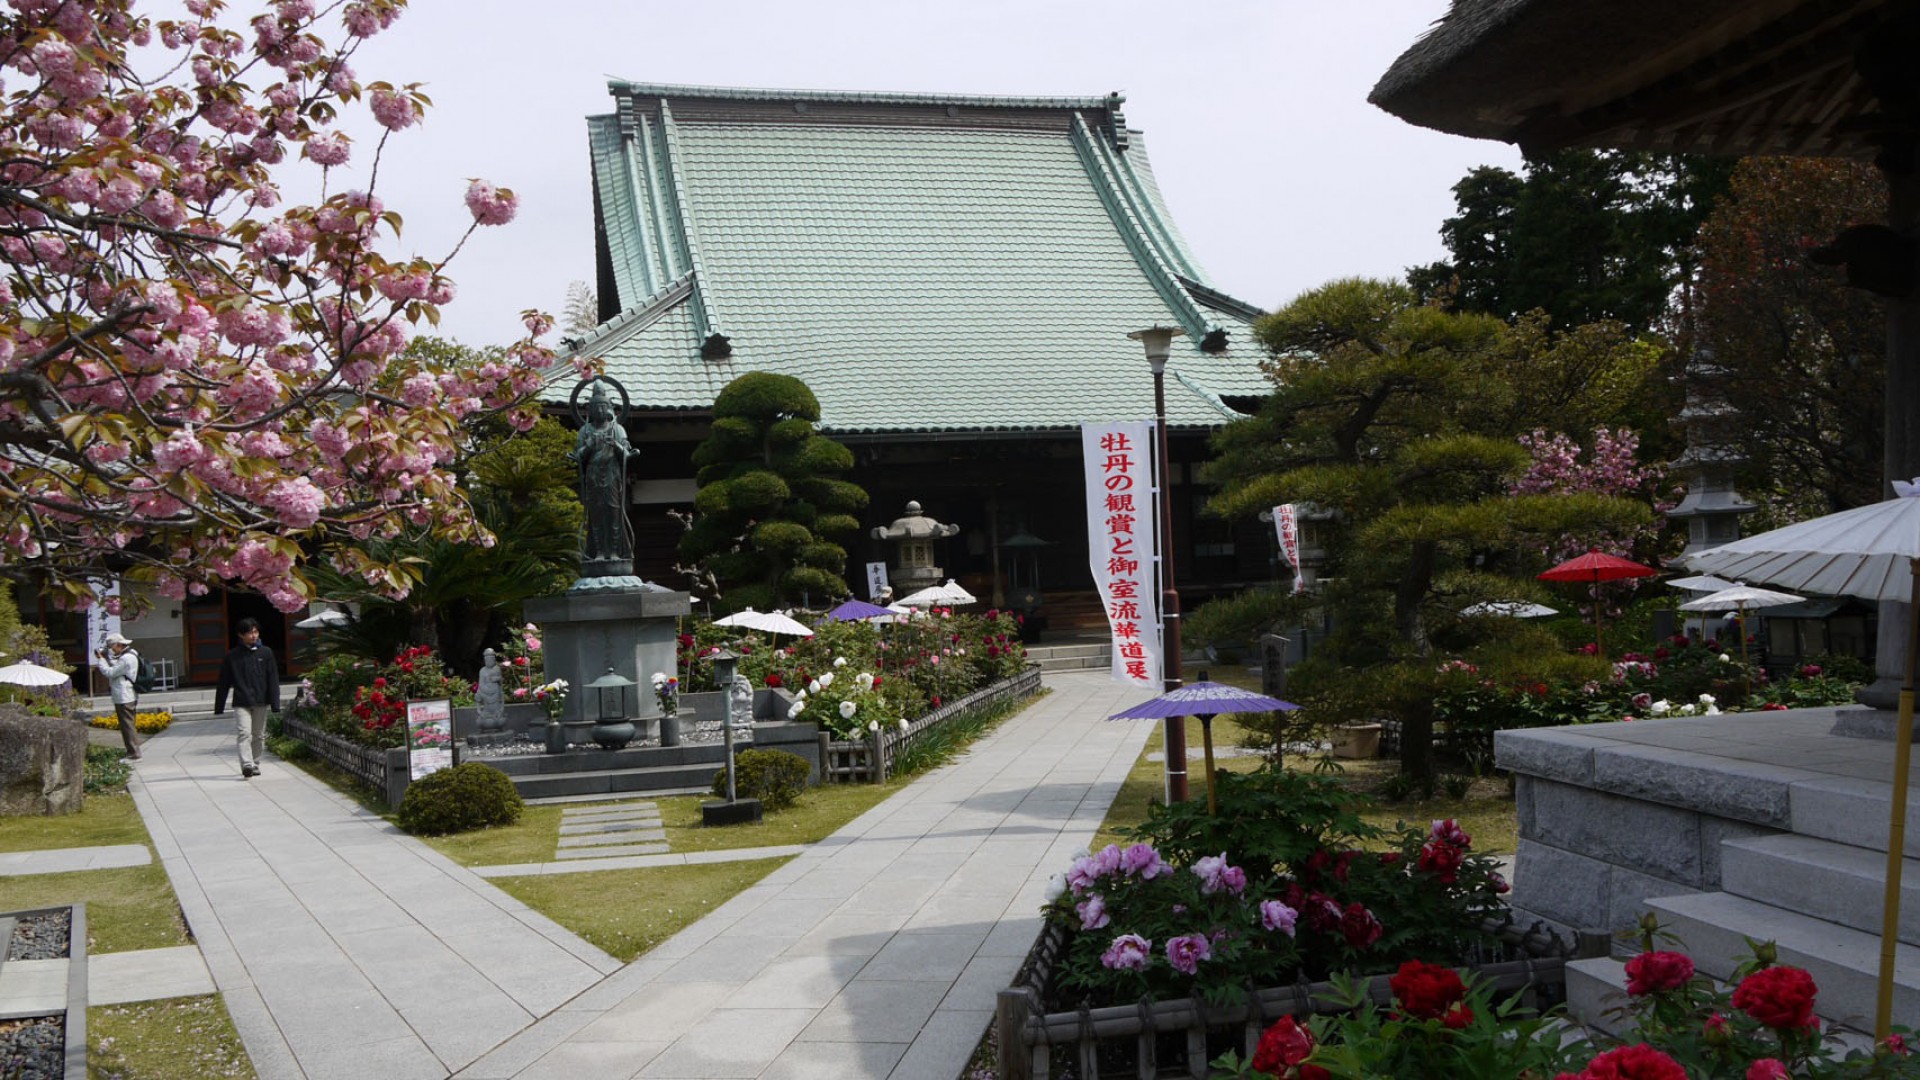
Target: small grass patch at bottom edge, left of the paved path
{"points": [[180, 1039]]}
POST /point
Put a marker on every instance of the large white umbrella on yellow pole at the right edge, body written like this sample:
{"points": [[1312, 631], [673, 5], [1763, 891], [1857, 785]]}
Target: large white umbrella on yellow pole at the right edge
{"points": [[1871, 552]]}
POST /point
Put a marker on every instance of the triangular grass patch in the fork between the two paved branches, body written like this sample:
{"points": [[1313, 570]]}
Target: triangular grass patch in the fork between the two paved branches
{"points": [[631, 912]]}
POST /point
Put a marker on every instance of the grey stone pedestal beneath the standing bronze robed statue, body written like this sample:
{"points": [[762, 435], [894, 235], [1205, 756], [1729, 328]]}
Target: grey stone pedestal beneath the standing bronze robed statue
{"points": [[631, 629]]}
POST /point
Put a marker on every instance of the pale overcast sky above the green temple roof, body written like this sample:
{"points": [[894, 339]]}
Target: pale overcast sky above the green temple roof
{"points": [[1257, 116]]}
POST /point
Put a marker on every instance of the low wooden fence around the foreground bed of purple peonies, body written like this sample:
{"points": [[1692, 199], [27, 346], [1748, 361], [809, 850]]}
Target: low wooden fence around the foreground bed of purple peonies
{"points": [[1180, 1039]]}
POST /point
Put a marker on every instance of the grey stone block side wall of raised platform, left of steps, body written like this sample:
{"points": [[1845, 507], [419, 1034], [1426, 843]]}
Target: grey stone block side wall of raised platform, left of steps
{"points": [[1606, 825]]}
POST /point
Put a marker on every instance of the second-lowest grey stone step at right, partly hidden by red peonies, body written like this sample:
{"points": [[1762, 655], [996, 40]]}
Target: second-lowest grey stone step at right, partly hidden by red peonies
{"points": [[1716, 927]]}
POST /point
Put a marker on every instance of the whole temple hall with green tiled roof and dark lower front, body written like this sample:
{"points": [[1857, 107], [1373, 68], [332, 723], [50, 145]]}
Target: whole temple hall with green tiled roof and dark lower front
{"points": [[955, 278]]}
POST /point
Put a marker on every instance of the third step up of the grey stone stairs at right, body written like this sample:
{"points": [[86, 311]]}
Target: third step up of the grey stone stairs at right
{"points": [[1831, 881]]}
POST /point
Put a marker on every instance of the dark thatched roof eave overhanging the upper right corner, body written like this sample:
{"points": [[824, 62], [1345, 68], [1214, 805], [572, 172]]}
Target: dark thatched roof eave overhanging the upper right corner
{"points": [[1689, 76]]}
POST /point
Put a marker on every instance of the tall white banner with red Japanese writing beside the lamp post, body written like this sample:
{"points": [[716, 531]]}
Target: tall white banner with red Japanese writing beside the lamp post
{"points": [[1122, 539]]}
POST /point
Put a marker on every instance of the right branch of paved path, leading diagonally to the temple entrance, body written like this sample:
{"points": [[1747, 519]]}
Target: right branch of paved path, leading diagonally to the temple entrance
{"points": [[875, 952]]}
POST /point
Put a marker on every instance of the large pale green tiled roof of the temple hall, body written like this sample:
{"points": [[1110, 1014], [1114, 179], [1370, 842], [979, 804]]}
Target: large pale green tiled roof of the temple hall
{"points": [[923, 262]]}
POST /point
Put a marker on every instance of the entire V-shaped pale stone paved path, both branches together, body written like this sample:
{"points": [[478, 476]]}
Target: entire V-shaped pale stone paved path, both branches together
{"points": [[348, 950]]}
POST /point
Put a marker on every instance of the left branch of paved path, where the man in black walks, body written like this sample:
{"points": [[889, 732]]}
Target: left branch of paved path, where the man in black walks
{"points": [[343, 946]]}
